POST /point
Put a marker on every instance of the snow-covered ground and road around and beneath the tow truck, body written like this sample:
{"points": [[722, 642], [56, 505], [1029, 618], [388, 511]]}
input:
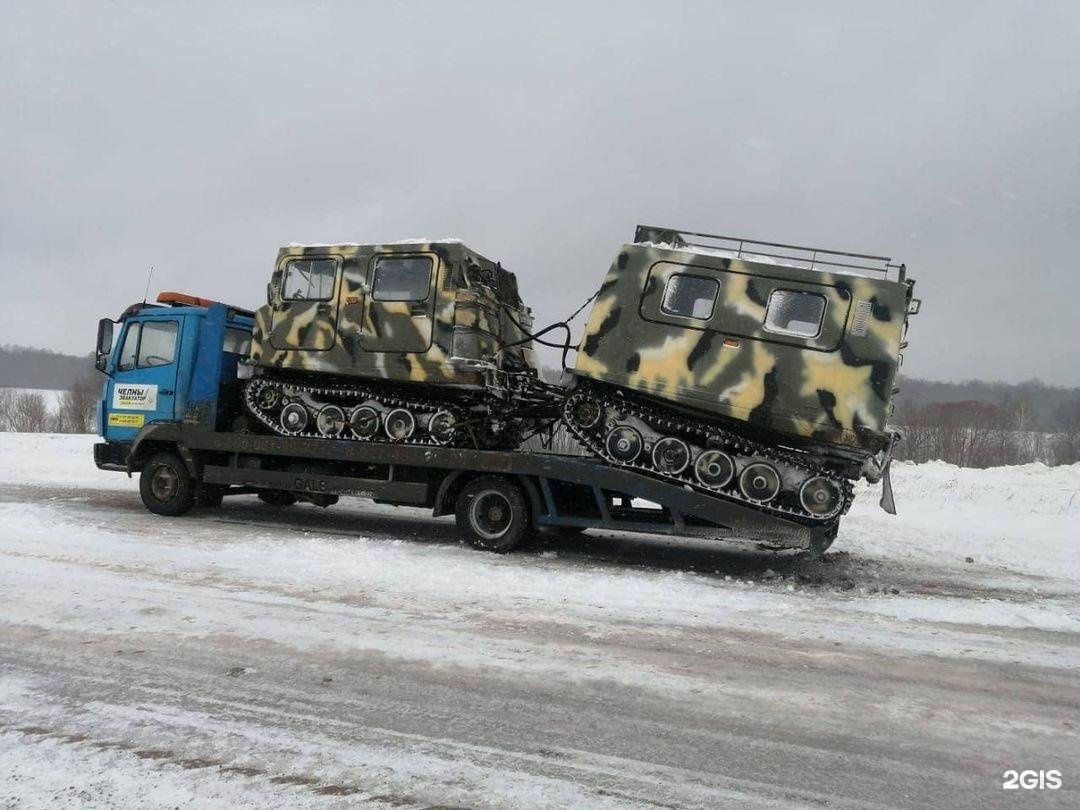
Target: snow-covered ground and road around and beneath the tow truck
{"points": [[247, 657]]}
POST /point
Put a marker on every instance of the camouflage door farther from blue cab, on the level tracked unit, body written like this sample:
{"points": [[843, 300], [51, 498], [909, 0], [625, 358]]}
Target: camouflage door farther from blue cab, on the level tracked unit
{"points": [[401, 308]]}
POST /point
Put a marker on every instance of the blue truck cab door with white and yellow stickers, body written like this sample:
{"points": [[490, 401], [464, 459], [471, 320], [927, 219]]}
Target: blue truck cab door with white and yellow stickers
{"points": [[142, 387]]}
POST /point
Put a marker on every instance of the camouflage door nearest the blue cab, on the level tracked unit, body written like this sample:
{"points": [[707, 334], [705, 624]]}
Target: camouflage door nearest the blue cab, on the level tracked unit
{"points": [[307, 318]]}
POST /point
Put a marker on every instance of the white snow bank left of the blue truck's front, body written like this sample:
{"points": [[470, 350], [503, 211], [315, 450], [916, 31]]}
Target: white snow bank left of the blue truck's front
{"points": [[55, 458]]}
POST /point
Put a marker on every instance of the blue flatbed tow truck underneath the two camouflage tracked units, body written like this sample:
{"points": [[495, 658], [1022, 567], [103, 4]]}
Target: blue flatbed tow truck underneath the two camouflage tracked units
{"points": [[172, 411]]}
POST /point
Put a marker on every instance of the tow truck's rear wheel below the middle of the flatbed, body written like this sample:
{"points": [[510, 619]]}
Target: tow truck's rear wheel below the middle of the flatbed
{"points": [[493, 515]]}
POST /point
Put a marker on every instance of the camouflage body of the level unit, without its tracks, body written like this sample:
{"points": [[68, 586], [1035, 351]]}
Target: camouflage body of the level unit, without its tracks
{"points": [[422, 313]]}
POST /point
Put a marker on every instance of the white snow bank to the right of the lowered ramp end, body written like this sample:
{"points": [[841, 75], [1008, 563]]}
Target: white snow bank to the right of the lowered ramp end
{"points": [[1022, 518]]}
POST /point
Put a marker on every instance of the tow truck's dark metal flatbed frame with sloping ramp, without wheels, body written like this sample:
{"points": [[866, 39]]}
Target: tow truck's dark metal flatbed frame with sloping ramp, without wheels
{"points": [[606, 490]]}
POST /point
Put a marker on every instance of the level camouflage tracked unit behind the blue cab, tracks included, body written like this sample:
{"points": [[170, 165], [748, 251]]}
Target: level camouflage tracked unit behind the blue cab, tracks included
{"points": [[416, 343]]}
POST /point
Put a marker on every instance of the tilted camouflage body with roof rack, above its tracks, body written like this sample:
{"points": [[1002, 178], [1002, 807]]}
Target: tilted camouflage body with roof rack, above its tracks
{"points": [[798, 342]]}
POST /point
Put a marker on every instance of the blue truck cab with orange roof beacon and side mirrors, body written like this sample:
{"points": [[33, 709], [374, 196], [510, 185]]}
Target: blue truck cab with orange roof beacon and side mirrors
{"points": [[173, 361]]}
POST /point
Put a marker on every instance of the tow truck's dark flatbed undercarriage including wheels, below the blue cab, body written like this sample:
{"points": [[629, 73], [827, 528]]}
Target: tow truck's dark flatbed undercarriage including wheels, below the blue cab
{"points": [[479, 488]]}
